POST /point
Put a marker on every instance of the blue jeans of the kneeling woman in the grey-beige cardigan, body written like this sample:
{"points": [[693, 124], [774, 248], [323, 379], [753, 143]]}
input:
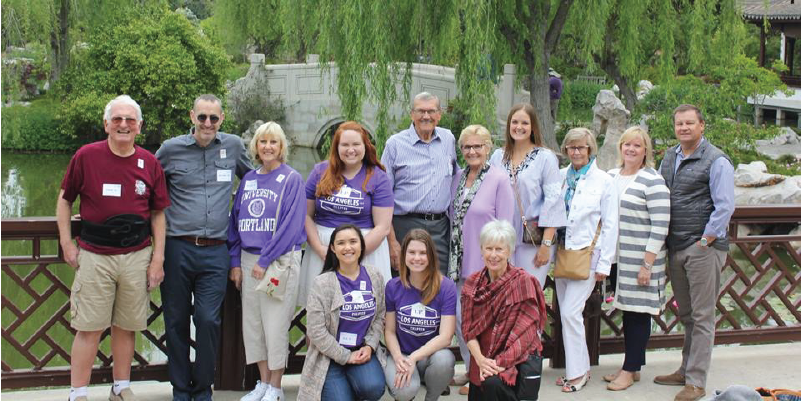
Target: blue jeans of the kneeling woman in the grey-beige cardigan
{"points": [[354, 382]]}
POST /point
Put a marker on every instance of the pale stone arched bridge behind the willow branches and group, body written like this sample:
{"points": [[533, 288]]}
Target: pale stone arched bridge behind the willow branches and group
{"points": [[312, 104]]}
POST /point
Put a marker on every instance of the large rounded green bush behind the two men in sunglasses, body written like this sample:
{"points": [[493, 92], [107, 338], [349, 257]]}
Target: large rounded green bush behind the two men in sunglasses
{"points": [[158, 58]]}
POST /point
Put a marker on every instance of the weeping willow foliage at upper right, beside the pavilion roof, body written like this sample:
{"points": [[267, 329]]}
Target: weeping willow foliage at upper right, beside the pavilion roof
{"points": [[629, 39]]}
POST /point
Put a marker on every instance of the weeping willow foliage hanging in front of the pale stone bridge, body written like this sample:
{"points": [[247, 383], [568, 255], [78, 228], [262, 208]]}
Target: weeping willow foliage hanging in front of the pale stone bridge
{"points": [[375, 43]]}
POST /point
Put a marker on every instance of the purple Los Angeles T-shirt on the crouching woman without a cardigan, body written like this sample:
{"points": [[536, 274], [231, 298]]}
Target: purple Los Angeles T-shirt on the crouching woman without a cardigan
{"points": [[415, 323]]}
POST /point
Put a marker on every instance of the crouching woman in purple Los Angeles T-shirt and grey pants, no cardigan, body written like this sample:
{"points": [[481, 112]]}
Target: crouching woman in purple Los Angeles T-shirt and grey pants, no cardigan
{"points": [[421, 320]]}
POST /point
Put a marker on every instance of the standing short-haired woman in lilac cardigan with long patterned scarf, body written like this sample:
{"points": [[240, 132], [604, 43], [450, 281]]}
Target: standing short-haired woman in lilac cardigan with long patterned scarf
{"points": [[480, 194]]}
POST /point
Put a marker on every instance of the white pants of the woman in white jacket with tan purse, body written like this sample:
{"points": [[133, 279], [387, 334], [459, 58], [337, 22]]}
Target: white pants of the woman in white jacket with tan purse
{"points": [[572, 295]]}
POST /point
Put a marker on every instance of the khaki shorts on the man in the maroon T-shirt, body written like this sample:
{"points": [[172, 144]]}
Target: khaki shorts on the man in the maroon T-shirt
{"points": [[110, 290]]}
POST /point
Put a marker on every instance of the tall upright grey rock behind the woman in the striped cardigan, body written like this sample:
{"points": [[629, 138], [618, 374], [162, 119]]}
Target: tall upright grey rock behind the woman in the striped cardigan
{"points": [[610, 119]]}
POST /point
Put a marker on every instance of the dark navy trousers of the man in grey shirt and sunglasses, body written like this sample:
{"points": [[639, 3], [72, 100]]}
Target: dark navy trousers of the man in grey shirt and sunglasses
{"points": [[201, 273]]}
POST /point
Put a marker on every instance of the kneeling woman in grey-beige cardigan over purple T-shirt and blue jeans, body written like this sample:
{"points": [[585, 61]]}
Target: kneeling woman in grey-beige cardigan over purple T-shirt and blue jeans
{"points": [[344, 320]]}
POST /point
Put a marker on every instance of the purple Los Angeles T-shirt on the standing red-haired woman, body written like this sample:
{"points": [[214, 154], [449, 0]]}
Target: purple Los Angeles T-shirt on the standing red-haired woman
{"points": [[352, 204]]}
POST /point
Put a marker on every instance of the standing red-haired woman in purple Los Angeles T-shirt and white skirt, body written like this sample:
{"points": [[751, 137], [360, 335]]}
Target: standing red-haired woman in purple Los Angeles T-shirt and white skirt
{"points": [[350, 187]]}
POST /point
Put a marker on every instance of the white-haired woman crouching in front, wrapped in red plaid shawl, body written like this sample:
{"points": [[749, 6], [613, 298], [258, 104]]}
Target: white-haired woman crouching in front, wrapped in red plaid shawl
{"points": [[503, 316]]}
